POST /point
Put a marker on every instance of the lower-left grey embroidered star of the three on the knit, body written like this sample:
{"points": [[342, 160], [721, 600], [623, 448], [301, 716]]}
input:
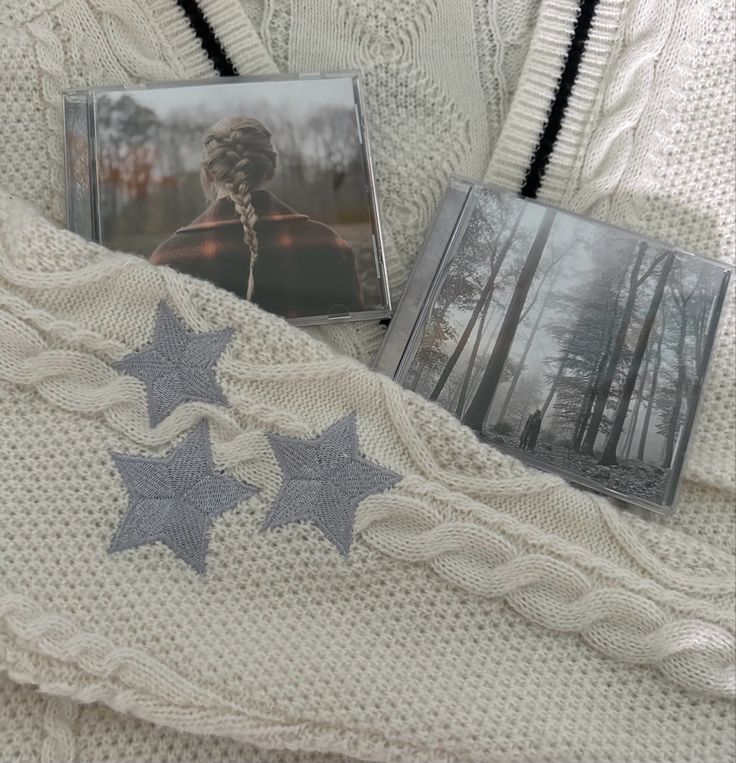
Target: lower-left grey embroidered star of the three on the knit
{"points": [[173, 500]]}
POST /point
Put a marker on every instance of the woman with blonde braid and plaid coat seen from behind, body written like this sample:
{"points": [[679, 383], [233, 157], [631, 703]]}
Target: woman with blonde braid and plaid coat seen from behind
{"points": [[250, 242]]}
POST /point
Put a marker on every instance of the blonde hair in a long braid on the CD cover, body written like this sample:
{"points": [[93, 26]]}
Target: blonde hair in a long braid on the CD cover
{"points": [[238, 158]]}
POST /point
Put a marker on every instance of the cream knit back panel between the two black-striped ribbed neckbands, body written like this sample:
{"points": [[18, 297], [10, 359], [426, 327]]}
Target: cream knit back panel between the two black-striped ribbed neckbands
{"points": [[433, 111]]}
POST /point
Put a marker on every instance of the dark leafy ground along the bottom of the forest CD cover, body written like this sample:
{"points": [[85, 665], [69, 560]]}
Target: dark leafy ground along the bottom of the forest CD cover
{"points": [[630, 477]]}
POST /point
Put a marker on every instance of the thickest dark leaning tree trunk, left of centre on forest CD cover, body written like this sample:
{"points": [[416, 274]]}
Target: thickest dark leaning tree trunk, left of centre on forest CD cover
{"points": [[478, 408]]}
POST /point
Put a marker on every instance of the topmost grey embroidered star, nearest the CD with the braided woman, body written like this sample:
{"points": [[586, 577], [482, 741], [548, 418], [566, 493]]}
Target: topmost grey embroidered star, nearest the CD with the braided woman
{"points": [[178, 366]]}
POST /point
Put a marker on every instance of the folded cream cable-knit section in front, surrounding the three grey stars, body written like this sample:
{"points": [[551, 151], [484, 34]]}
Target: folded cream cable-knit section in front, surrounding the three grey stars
{"points": [[390, 653]]}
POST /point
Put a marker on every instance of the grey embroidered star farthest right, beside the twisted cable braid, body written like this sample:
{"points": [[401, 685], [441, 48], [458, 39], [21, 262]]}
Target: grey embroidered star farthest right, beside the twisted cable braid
{"points": [[325, 479]]}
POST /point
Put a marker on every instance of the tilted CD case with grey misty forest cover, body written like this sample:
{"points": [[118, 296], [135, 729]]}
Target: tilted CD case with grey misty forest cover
{"points": [[578, 347]]}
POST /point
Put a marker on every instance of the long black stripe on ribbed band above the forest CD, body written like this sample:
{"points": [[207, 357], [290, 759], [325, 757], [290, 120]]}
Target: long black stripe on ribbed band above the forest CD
{"points": [[546, 144]]}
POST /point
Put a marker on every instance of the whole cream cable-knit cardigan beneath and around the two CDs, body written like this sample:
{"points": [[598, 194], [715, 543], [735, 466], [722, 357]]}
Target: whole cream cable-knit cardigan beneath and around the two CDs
{"points": [[486, 612]]}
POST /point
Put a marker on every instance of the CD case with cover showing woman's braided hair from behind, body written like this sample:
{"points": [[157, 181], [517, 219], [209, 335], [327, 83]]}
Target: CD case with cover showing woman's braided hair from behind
{"points": [[263, 186]]}
